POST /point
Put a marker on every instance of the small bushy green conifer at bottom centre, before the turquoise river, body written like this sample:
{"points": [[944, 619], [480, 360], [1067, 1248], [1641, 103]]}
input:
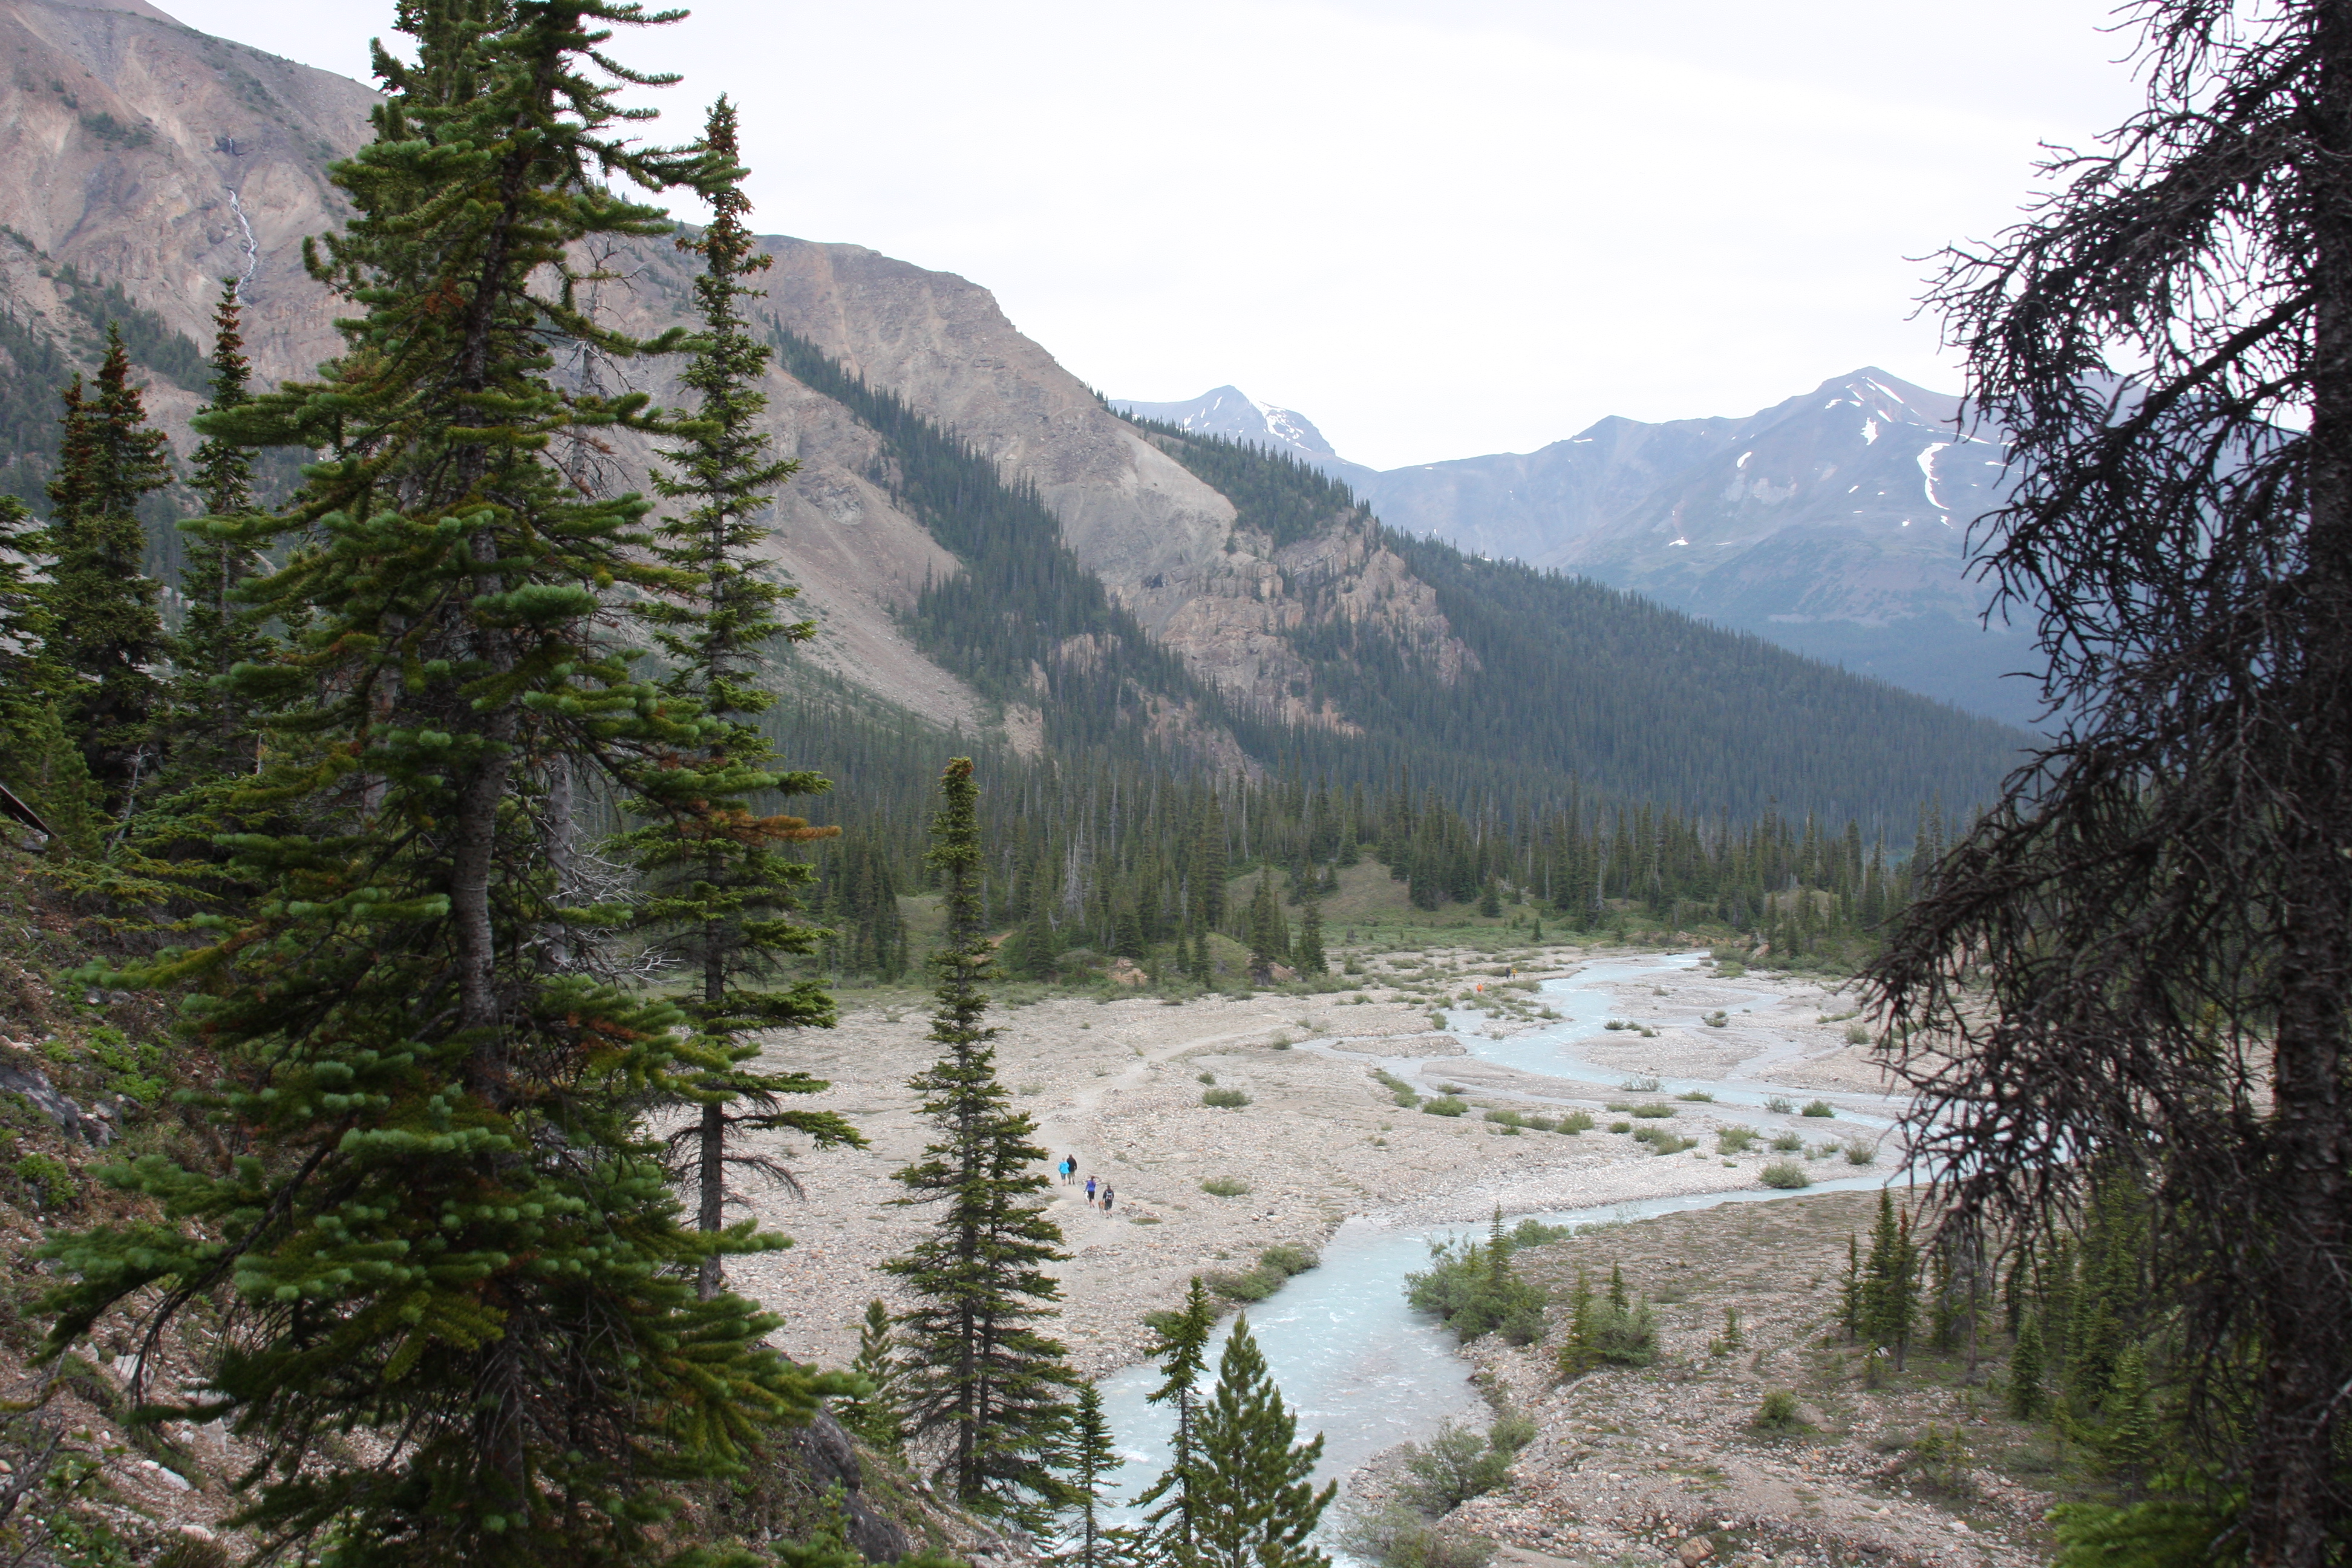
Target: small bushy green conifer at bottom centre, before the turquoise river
{"points": [[1257, 1501]]}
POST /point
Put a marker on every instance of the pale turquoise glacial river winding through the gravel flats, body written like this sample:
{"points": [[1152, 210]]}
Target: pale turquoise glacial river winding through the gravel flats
{"points": [[1351, 1358]]}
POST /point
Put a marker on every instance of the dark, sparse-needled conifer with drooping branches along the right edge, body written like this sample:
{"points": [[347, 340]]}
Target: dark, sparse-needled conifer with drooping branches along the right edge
{"points": [[2144, 953]]}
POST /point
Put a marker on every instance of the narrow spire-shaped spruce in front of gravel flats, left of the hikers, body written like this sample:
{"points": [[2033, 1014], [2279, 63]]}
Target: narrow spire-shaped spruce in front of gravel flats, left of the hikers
{"points": [[982, 1381]]}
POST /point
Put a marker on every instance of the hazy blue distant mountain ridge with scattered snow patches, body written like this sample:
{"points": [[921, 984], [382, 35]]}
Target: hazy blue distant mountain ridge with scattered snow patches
{"points": [[1833, 523]]}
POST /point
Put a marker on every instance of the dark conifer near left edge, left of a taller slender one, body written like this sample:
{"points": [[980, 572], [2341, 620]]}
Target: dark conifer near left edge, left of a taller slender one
{"points": [[107, 631]]}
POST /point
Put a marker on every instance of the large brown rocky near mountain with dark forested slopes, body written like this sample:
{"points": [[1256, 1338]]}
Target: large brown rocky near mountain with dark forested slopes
{"points": [[984, 544]]}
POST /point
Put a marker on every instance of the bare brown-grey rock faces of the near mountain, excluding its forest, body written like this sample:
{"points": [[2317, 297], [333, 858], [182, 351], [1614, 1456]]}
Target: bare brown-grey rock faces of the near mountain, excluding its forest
{"points": [[159, 159]]}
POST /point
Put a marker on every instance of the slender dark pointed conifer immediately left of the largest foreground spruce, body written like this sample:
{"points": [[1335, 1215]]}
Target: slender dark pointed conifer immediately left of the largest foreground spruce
{"points": [[211, 730]]}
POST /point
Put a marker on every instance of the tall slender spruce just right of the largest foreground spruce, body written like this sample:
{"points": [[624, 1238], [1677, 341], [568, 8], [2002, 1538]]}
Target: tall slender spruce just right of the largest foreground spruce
{"points": [[719, 878]]}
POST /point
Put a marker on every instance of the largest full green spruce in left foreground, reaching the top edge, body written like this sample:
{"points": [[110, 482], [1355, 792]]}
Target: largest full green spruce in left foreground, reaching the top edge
{"points": [[450, 1231]]}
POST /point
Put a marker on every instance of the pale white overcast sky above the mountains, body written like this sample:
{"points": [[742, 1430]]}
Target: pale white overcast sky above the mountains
{"points": [[1436, 229]]}
